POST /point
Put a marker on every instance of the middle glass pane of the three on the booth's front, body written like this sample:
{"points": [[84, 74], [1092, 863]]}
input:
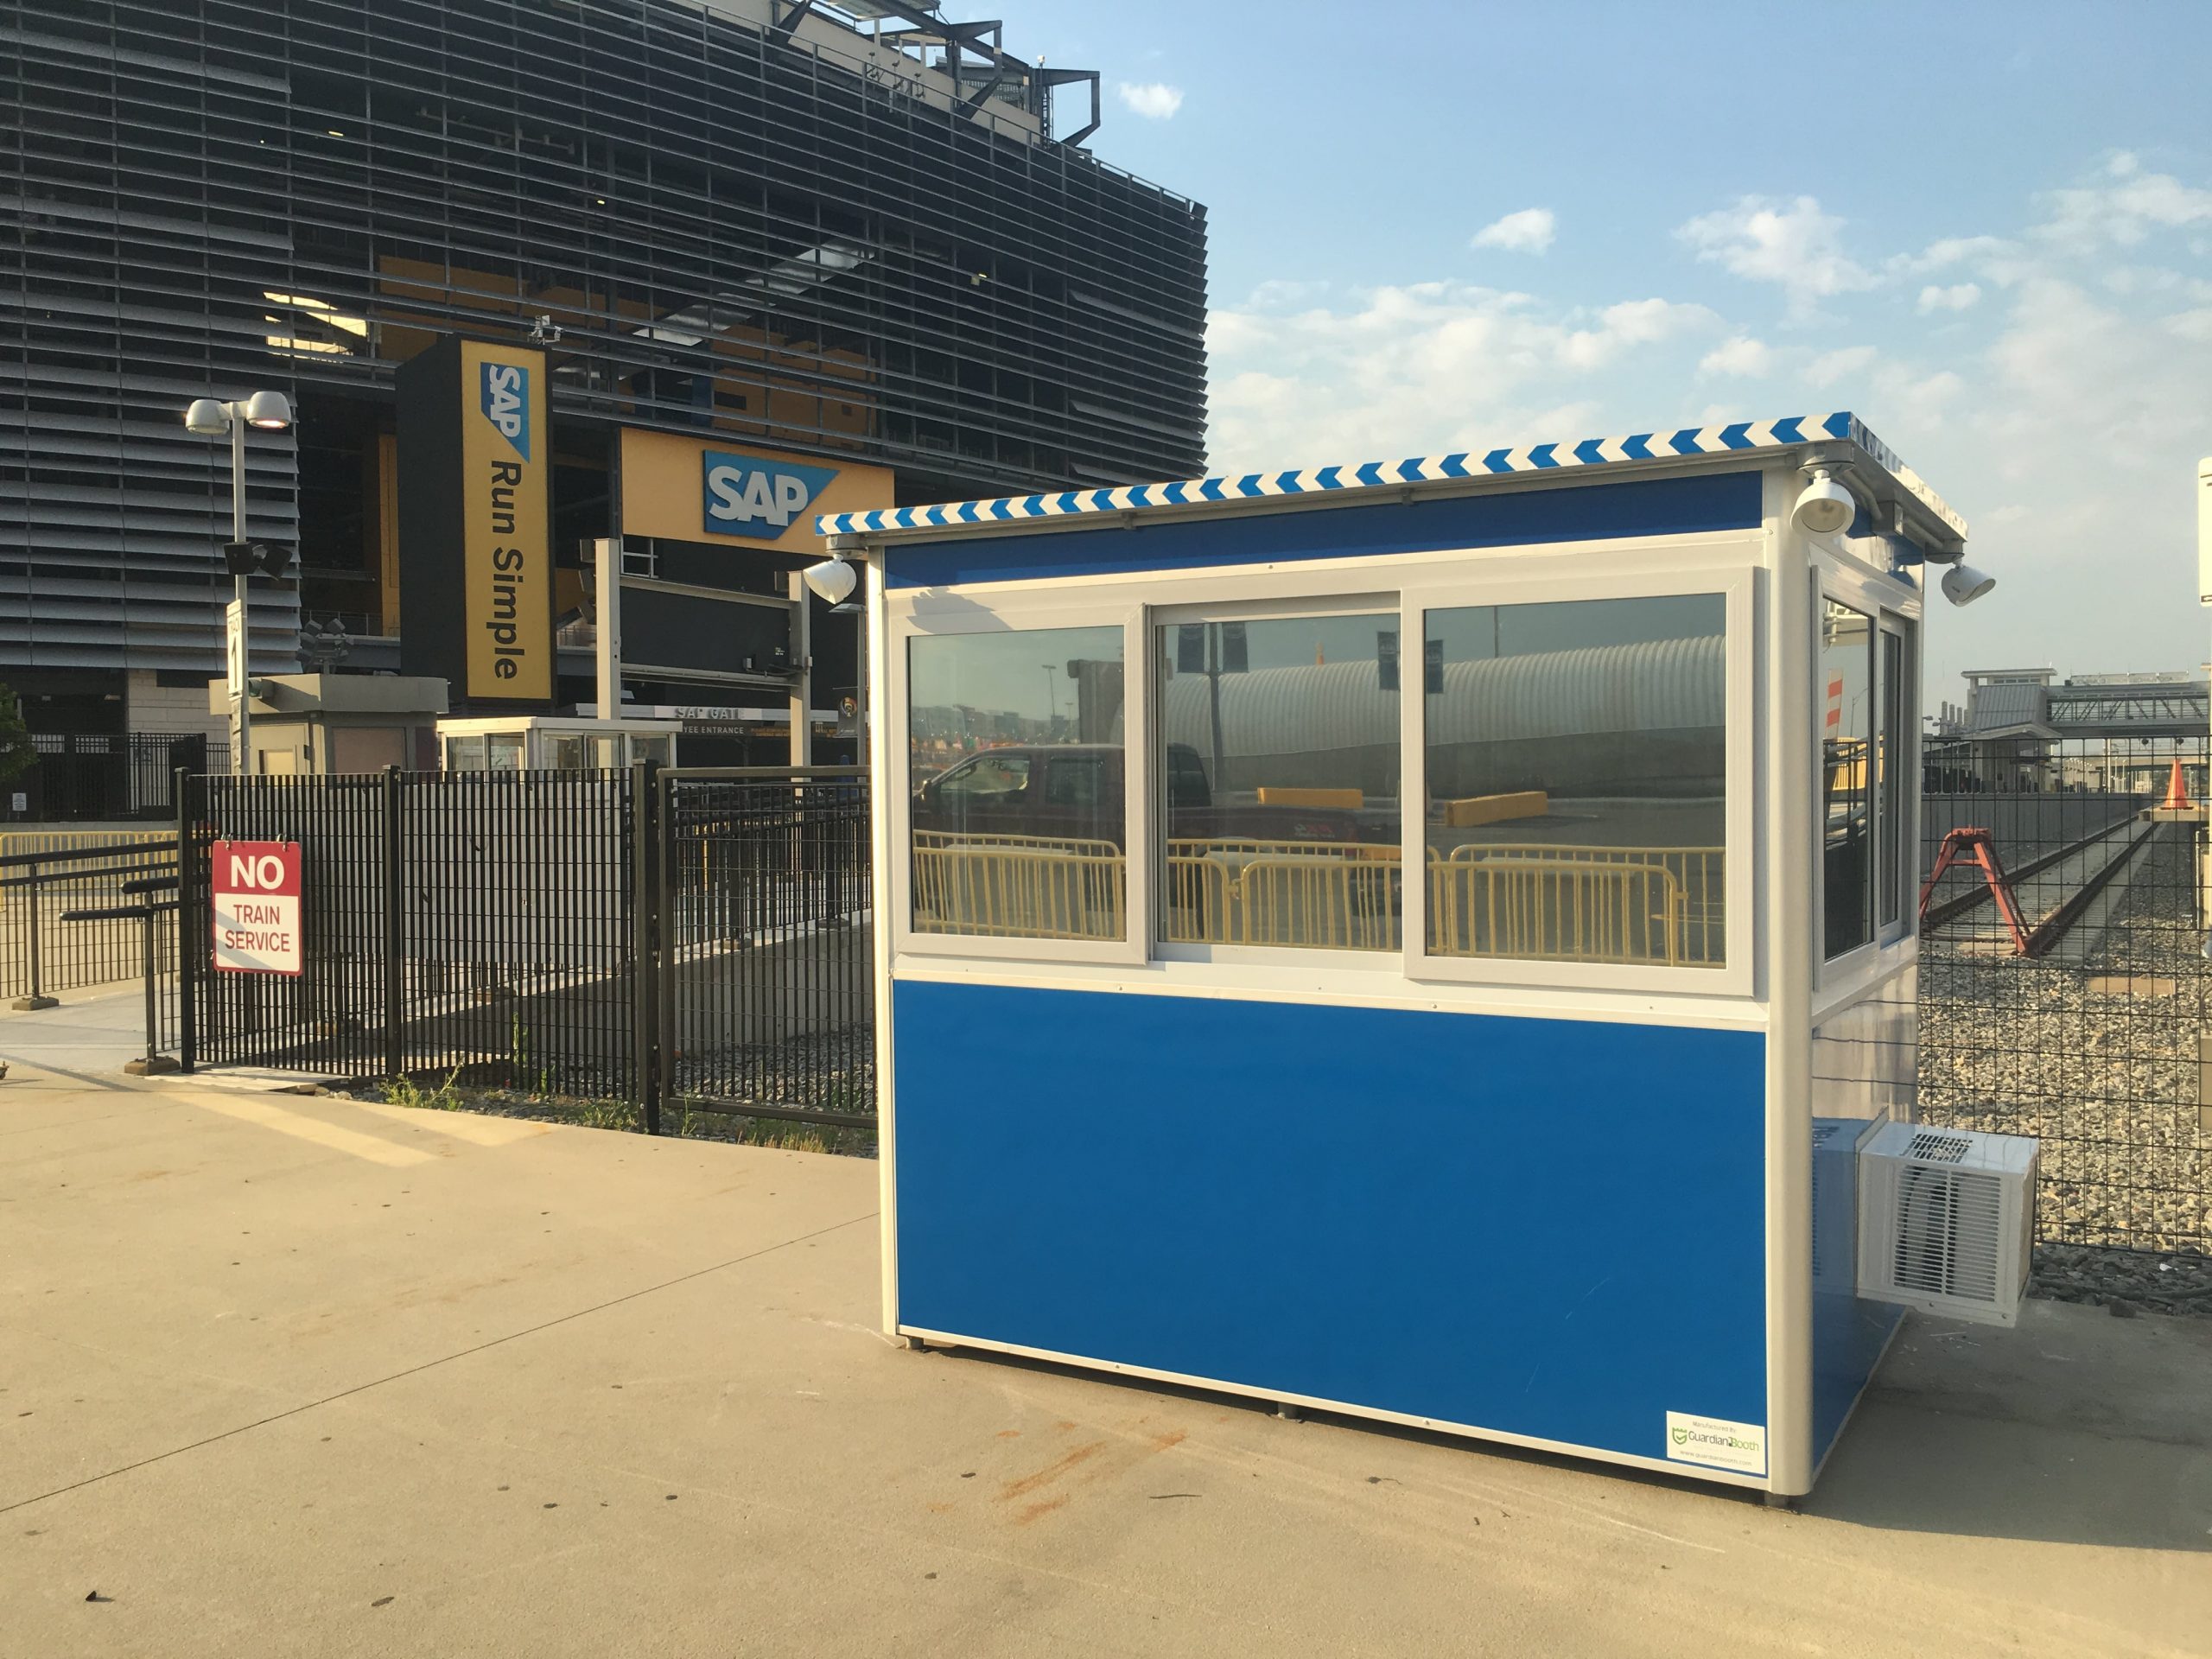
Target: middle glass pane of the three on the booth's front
{"points": [[1280, 782]]}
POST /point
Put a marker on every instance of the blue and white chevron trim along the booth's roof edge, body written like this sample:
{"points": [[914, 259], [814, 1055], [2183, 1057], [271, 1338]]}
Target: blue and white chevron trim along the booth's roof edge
{"points": [[1740, 437]]}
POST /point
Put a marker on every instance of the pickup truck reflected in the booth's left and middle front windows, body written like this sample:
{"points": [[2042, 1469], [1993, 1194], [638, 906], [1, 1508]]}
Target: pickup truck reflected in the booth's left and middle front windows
{"points": [[1074, 791]]}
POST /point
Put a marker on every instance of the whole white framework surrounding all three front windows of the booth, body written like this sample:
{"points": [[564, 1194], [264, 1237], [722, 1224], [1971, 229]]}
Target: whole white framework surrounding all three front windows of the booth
{"points": [[1724, 563]]}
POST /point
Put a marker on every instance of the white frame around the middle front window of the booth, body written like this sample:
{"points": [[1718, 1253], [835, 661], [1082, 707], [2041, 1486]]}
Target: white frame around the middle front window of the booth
{"points": [[1324, 594]]}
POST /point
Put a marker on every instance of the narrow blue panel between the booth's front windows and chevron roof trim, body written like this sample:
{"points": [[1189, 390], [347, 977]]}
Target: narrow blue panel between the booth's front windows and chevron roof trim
{"points": [[1695, 505]]}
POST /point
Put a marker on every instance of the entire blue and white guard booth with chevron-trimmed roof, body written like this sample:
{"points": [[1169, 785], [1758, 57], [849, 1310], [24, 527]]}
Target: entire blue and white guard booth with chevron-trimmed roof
{"points": [[1419, 941]]}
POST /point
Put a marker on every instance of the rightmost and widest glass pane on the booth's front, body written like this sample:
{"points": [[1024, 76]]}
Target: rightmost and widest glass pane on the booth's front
{"points": [[1578, 782]]}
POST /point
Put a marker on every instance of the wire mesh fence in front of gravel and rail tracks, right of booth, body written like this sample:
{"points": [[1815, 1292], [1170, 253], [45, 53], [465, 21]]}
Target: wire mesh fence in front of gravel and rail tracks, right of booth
{"points": [[2076, 1012]]}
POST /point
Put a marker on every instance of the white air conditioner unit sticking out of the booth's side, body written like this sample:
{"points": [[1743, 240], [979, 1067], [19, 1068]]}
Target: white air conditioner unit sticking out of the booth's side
{"points": [[1945, 1220]]}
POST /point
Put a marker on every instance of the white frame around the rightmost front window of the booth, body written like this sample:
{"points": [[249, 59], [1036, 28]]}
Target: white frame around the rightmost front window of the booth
{"points": [[1634, 574]]}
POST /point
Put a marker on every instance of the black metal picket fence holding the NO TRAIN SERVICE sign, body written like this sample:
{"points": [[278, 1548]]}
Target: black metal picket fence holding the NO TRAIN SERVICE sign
{"points": [[649, 937]]}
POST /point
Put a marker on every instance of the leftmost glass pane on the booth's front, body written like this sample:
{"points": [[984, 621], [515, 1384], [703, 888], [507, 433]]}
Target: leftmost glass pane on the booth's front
{"points": [[1016, 766]]}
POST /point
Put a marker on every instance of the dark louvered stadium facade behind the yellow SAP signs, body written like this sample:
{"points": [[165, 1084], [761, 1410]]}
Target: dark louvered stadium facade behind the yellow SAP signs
{"points": [[855, 233]]}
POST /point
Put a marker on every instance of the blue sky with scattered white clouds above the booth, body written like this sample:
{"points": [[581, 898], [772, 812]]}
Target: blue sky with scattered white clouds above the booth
{"points": [[1983, 229]]}
